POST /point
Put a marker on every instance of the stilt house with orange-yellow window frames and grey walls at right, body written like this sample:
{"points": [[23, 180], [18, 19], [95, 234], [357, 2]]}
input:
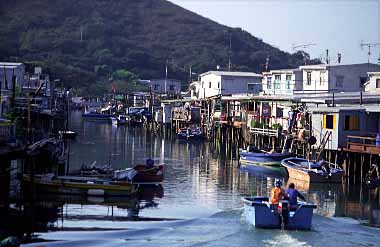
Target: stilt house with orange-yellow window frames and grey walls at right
{"points": [[347, 124]]}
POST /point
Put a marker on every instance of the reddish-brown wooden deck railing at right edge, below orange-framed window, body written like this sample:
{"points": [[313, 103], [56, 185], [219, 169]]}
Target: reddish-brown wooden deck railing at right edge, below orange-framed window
{"points": [[362, 144]]}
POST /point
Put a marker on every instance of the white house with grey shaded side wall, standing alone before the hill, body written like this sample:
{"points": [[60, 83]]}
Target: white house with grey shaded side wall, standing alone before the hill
{"points": [[215, 83]]}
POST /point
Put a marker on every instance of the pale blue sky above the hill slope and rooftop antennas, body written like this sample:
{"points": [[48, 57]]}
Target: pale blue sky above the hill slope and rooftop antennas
{"points": [[338, 25]]}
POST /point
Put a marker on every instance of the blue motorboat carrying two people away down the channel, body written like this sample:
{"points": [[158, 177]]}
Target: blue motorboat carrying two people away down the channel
{"points": [[260, 213]]}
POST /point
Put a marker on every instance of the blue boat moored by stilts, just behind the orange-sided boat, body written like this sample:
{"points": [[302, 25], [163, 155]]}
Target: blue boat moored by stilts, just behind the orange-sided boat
{"points": [[257, 156]]}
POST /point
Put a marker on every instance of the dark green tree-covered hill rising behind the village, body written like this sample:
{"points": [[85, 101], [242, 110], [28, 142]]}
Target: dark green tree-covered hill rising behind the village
{"points": [[83, 41]]}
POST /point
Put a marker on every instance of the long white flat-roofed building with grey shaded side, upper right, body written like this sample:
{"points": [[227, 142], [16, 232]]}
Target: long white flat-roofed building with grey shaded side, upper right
{"points": [[321, 78]]}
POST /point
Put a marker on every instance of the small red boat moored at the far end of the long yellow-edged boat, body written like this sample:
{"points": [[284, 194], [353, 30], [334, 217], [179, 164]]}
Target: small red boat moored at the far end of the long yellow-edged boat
{"points": [[141, 174]]}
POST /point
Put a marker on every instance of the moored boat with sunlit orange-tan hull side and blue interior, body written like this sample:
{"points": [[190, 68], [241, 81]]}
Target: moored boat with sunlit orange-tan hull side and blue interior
{"points": [[311, 171]]}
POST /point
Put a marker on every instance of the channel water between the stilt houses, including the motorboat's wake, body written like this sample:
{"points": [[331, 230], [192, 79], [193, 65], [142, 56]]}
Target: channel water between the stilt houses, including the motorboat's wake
{"points": [[199, 201]]}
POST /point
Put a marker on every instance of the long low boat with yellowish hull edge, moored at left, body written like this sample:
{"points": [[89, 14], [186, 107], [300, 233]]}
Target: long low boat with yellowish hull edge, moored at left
{"points": [[76, 185]]}
